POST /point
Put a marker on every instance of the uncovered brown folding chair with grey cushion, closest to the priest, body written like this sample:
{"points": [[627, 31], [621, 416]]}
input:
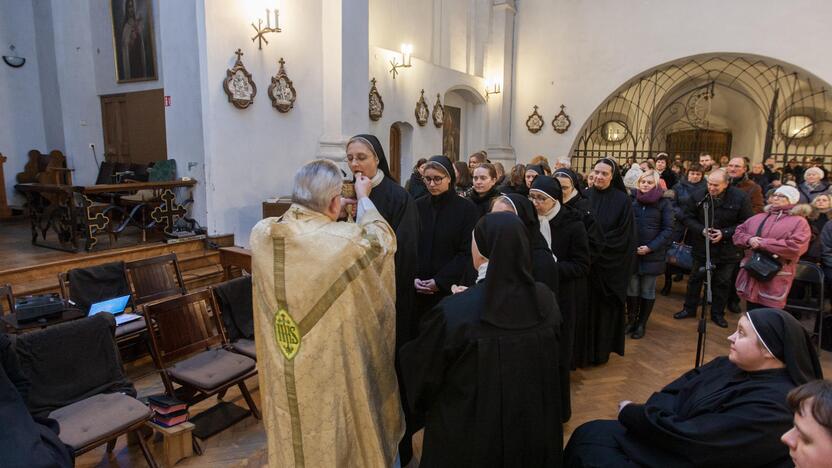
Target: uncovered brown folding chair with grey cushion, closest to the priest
{"points": [[190, 350]]}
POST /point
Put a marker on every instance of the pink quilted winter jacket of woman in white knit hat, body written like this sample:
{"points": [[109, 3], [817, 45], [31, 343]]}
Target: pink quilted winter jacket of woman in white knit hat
{"points": [[786, 234]]}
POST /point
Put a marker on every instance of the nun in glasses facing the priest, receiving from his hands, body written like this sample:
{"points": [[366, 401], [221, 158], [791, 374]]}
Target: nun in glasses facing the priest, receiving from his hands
{"points": [[365, 155]]}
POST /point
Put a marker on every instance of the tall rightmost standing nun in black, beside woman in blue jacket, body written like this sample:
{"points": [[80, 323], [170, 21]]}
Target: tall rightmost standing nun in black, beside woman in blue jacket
{"points": [[609, 274]]}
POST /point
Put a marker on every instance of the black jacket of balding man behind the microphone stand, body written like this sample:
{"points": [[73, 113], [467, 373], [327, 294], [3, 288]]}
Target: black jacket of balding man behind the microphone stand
{"points": [[729, 211]]}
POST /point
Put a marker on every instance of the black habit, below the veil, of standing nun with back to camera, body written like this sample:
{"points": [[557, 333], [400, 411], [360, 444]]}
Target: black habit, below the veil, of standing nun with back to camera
{"points": [[490, 396]]}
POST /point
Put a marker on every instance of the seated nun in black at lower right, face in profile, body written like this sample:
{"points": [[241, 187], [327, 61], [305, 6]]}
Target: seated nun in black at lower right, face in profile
{"points": [[729, 412]]}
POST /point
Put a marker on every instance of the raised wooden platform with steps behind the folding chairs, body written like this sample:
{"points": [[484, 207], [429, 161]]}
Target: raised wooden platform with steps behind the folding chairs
{"points": [[32, 269]]}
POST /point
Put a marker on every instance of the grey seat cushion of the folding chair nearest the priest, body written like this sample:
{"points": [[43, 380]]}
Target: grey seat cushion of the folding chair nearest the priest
{"points": [[211, 369]]}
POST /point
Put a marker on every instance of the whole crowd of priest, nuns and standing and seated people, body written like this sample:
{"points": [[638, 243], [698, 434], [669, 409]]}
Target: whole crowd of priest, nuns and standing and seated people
{"points": [[503, 283]]}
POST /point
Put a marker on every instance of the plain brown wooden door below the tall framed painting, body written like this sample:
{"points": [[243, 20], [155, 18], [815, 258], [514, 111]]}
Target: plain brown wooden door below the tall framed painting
{"points": [[134, 127]]}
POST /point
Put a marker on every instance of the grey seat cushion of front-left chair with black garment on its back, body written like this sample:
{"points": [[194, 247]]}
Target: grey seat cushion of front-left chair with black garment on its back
{"points": [[97, 416]]}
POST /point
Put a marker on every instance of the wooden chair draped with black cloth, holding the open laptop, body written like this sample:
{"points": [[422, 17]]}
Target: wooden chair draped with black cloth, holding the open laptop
{"points": [[119, 285]]}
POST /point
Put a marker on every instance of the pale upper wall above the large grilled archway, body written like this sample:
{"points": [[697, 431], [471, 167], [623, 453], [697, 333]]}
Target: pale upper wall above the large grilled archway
{"points": [[578, 53]]}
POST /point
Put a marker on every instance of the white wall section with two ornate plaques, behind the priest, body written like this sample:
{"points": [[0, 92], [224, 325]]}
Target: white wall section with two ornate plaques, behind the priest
{"points": [[252, 154]]}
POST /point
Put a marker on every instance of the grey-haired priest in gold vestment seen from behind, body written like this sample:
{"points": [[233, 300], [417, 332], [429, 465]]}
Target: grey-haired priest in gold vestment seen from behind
{"points": [[325, 325]]}
